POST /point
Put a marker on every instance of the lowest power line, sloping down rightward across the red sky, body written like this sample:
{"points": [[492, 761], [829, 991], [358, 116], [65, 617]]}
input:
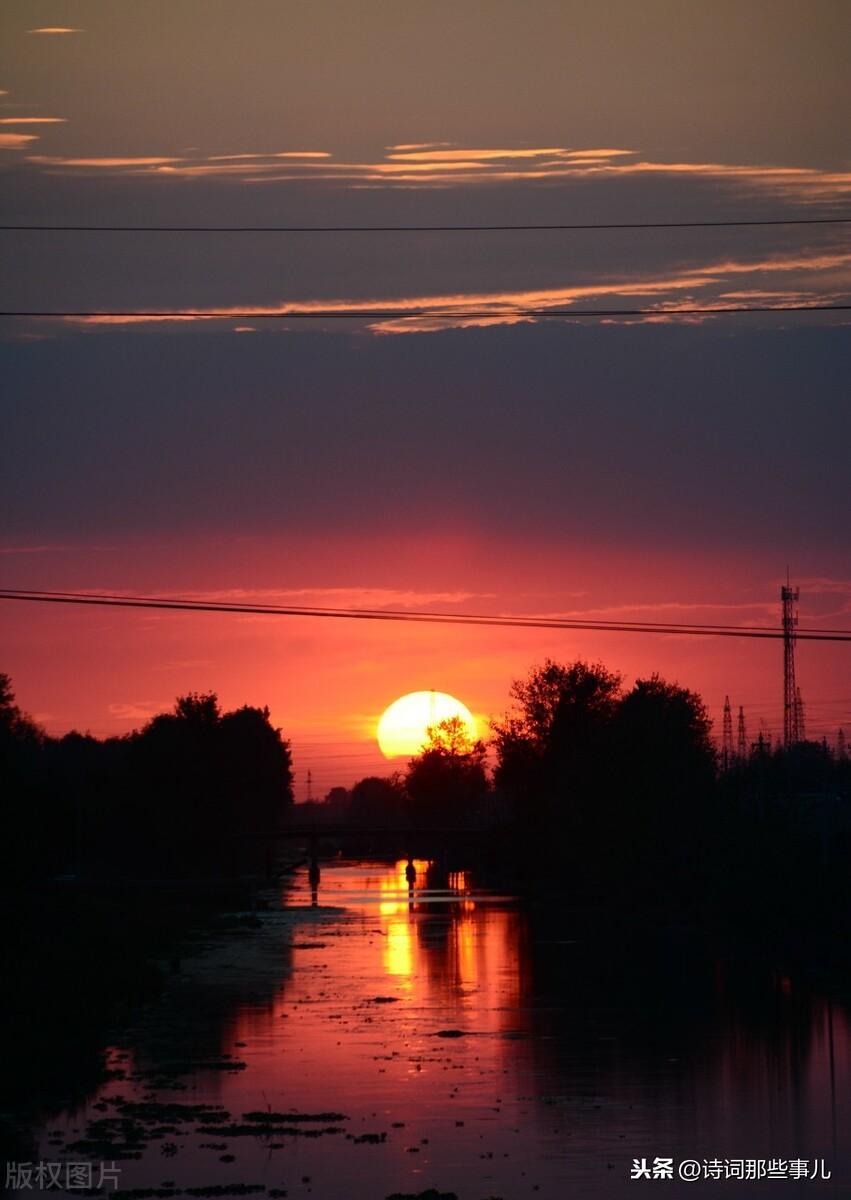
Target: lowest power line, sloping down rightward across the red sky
{"points": [[389, 615]]}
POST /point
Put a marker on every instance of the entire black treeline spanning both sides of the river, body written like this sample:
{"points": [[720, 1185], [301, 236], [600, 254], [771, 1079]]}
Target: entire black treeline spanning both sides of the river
{"points": [[606, 793]]}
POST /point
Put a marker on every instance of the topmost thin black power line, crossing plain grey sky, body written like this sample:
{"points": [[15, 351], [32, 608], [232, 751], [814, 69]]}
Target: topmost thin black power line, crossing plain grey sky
{"points": [[438, 229]]}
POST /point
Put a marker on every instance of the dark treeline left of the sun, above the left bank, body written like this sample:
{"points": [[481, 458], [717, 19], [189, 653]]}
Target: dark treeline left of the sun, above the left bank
{"points": [[171, 800]]}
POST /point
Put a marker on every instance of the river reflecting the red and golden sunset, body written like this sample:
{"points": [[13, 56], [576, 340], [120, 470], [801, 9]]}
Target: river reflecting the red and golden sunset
{"points": [[389, 1041]]}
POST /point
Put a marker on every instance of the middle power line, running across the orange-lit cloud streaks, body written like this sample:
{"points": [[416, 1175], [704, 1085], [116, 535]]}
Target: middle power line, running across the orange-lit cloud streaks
{"points": [[422, 314]]}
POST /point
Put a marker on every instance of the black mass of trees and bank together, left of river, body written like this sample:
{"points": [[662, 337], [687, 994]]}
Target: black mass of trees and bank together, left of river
{"points": [[86, 827]]}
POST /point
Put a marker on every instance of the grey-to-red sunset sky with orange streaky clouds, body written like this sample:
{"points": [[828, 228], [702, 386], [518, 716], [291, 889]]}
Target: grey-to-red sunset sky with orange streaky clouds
{"points": [[660, 469]]}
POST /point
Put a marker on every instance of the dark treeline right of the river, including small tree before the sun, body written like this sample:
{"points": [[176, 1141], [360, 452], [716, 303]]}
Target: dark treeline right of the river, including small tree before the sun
{"points": [[615, 800]]}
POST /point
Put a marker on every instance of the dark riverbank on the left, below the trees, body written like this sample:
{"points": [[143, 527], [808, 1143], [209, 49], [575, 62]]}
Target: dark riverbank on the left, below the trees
{"points": [[82, 958]]}
